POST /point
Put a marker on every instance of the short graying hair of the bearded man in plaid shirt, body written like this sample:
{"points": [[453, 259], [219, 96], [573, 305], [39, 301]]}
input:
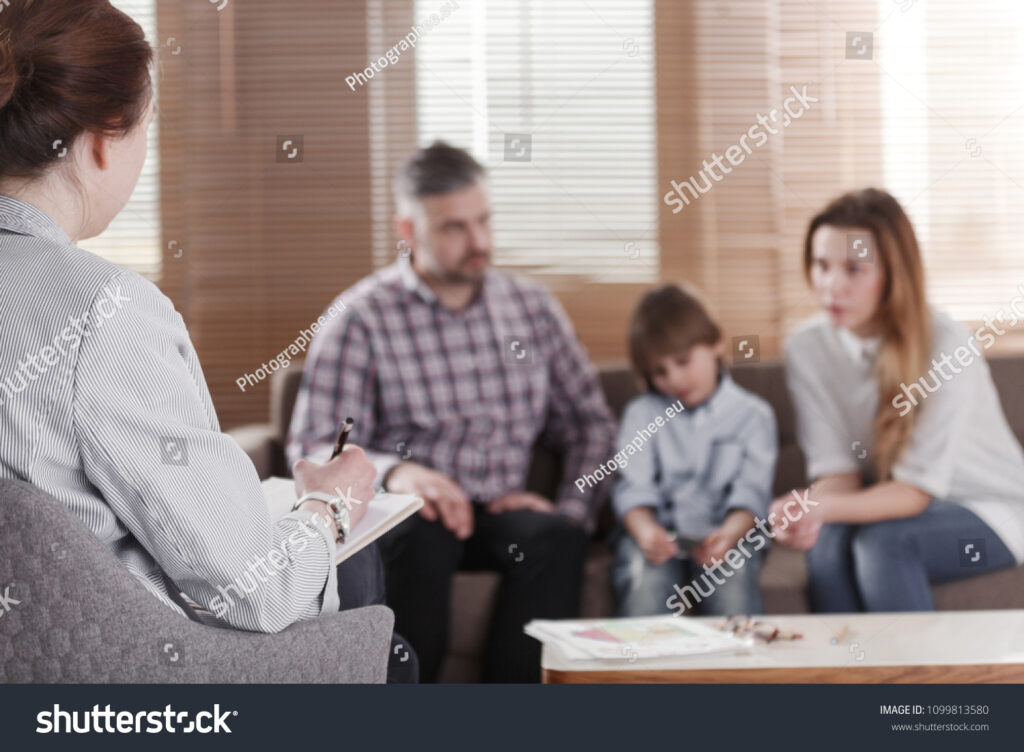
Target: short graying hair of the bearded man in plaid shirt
{"points": [[440, 169]]}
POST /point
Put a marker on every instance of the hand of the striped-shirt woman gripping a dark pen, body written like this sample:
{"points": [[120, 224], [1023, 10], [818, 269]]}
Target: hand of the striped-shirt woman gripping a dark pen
{"points": [[350, 475]]}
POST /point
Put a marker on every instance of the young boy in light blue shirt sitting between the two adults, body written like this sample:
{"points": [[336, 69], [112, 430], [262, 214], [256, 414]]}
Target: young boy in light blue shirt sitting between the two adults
{"points": [[706, 469]]}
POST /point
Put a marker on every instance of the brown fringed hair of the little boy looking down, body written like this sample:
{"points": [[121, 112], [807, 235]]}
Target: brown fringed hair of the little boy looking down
{"points": [[670, 319]]}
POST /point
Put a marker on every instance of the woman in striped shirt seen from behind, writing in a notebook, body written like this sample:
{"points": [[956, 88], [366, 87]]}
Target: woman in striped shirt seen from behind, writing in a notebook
{"points": [[103, 400]]}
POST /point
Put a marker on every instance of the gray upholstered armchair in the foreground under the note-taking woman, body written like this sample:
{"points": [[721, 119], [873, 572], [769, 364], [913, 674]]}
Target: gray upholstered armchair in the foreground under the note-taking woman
{"points": [[71, 613]]}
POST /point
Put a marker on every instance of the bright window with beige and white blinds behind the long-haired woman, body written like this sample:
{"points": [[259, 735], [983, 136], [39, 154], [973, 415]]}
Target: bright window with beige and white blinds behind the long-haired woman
{"points": [[921, 99]]}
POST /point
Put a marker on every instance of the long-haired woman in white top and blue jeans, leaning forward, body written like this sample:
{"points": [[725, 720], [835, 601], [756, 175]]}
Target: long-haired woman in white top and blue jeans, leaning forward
{"points": [[917, 475]]}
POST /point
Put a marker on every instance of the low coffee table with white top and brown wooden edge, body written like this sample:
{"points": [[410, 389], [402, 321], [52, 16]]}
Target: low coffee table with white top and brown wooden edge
{"points": [[961, 647]]}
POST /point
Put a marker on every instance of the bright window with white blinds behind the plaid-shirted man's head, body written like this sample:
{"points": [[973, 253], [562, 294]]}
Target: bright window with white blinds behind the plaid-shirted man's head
{"points": [[558, 102]]}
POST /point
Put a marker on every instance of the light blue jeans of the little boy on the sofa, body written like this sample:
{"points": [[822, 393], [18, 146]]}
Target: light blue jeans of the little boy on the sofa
{"points": [[643, 589]]}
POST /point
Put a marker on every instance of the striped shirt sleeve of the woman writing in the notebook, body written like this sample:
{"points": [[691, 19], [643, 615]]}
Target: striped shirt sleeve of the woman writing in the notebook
{"points": [[151, 444]]}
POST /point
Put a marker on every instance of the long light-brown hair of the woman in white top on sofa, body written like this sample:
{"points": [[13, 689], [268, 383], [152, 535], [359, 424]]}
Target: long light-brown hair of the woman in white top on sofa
{"points": [[904, 314]]}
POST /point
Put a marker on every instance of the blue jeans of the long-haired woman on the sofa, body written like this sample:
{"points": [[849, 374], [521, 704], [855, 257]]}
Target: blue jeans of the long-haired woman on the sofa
{"points": [[890, 566]]}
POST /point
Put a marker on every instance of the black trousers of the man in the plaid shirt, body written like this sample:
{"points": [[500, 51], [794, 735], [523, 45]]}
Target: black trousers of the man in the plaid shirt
{"points": [[540, 558]]}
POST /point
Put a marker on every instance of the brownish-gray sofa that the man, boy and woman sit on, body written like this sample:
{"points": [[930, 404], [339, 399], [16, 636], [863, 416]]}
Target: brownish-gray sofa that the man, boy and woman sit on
{"points": [[784, 578]]}
